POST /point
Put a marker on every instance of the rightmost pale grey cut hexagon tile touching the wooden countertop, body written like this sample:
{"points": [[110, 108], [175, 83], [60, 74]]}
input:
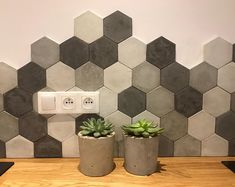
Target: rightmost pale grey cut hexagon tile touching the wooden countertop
{"points": [[214, 146]]}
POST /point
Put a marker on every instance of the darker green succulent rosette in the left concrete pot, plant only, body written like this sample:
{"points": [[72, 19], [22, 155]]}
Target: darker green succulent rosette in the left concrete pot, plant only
{"points": [[96, 128]]}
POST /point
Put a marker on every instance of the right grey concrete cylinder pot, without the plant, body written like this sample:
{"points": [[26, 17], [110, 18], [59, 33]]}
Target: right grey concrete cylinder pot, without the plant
{"points": [[140, 155]]}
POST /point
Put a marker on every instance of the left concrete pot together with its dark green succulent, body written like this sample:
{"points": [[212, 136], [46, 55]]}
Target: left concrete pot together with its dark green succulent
{"points": [[96, 142]]}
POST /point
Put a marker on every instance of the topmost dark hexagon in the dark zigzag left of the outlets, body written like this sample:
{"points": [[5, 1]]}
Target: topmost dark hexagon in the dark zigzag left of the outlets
{"points": [[31, 77]]}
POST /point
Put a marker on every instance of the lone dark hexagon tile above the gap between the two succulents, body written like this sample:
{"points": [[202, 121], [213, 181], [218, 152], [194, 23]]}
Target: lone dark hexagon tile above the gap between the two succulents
{"points": [[131, 101]]}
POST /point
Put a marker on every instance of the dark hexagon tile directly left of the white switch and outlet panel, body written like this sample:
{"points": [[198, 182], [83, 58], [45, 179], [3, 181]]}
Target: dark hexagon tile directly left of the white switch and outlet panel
{"points": [[18, 102]]}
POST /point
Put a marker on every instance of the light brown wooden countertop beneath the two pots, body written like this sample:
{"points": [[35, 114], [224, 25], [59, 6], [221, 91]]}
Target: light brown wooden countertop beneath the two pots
{"points": [[175, 171]]}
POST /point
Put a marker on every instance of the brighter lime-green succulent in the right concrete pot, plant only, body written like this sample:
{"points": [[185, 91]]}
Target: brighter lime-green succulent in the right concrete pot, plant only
{"points": [[142, 128]]}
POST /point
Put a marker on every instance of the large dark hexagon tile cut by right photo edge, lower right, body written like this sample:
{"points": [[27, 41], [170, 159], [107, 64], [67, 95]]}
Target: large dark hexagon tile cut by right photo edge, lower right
{"points": [[225, 125]]}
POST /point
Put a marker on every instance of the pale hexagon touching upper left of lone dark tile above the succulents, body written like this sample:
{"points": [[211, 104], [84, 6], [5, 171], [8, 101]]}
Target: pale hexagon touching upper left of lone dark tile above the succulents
{"points": [[117, 77]]}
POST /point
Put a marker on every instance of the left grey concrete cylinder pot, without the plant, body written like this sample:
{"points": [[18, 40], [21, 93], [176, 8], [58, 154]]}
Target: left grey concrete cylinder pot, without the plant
{"points": [[96, 155]]}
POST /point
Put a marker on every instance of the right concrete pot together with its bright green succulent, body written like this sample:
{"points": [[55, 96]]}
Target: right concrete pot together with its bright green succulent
{"points": [[141, 147]]}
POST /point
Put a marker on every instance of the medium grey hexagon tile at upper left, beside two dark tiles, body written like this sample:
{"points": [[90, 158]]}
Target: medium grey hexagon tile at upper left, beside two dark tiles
{"points": [[45, 52]]}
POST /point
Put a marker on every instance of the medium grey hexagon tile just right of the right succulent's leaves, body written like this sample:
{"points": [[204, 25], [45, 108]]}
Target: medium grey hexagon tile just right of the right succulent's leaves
{"points": [[175, 125]]}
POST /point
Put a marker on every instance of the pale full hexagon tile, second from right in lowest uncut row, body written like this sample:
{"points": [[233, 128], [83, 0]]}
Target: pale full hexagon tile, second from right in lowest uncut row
{"points": [[201, 125]]}
